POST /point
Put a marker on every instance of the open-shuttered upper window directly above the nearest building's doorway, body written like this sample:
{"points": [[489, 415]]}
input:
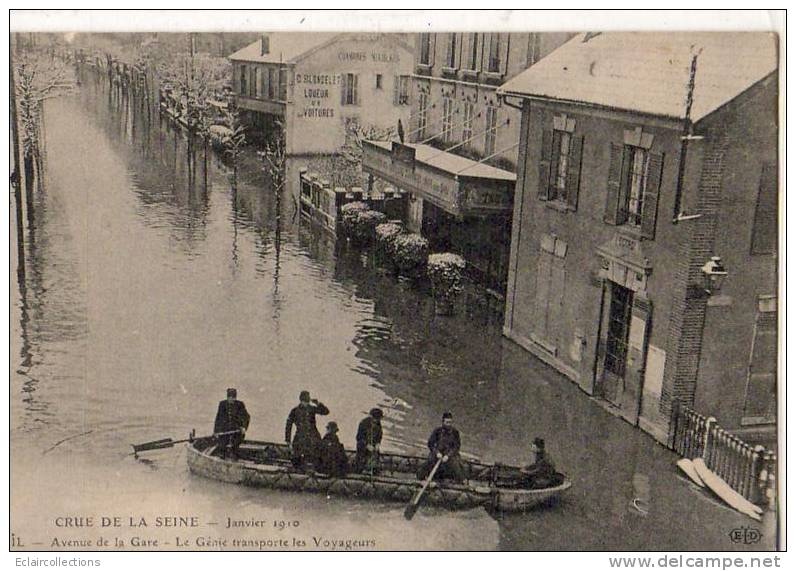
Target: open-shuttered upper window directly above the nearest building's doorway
{"points": [[634, 179]]}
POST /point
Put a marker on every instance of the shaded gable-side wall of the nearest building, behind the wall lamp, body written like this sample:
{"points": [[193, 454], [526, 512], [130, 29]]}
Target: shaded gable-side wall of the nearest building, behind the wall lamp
{"points": [[750, 126]]}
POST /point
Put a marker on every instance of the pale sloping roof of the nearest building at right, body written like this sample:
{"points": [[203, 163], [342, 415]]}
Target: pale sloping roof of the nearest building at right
{"points": [[648, 72]]}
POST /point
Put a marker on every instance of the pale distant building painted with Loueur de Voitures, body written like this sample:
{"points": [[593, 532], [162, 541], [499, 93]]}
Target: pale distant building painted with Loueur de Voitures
{"points": [[320, 86]]}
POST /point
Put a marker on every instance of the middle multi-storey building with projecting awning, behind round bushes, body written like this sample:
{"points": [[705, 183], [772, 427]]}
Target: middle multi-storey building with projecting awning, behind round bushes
{"points": [[463, 141]]}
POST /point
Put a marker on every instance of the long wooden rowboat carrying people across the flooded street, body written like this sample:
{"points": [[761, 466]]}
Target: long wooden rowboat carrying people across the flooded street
{"points": [[267, 465]]}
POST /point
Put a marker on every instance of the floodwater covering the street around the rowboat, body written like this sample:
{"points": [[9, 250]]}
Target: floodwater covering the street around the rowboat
{"points": [[151, 286]]}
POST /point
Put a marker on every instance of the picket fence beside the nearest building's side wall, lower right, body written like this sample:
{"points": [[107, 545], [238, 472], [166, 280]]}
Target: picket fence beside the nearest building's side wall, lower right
{"points": [[749, 470]]}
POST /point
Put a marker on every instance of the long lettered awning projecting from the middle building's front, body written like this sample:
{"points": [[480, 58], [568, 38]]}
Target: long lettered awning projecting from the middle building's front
{"points": [[458, 185]]}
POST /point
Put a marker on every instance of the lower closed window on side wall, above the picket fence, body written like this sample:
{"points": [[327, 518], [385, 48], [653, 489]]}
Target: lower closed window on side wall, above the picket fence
{"points": [[760, 405]]}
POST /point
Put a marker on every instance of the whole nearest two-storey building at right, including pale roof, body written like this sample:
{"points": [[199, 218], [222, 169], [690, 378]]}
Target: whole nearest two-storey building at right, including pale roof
{"points": [[642, 157]]}
